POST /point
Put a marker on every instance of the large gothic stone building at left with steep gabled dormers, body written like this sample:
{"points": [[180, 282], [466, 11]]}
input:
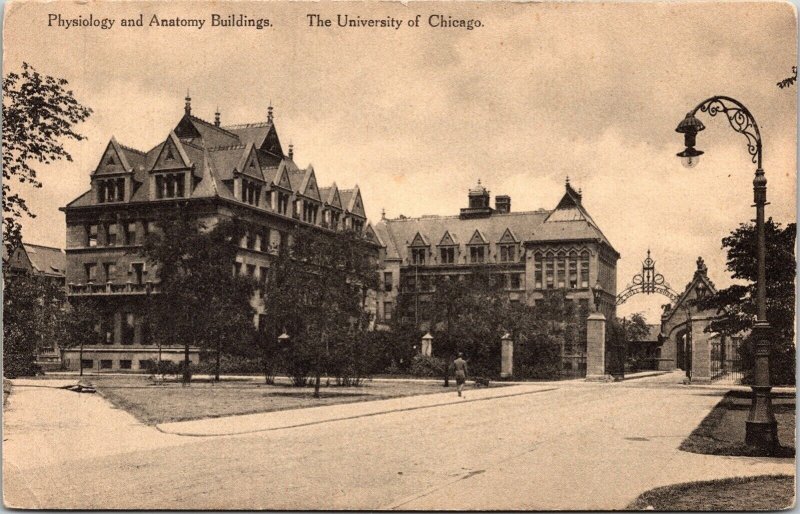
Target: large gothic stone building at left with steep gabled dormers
{"points": [[218, 172]]}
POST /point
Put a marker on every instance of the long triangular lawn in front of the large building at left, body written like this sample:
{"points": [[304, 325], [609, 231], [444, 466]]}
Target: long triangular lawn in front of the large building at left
{"points": [[154, 403]]}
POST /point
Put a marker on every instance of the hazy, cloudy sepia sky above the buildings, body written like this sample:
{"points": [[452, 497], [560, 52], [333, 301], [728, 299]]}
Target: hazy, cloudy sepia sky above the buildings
{"points": [[415, 116]]}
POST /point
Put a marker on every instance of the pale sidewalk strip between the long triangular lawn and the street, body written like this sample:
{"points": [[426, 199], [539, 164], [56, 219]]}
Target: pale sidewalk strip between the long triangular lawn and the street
{"points": [[261, 422]]}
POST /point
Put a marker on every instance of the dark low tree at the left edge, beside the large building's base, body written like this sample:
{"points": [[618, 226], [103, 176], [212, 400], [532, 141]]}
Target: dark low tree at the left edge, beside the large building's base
{"points": [[32, 316]]}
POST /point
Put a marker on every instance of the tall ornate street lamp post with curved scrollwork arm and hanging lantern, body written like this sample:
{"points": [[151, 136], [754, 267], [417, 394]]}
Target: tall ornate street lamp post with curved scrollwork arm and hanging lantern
{"points": [[761, 425]]}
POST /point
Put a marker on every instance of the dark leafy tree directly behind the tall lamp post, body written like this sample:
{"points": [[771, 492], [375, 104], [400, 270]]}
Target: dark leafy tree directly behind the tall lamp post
{"points": [[736, 305]]}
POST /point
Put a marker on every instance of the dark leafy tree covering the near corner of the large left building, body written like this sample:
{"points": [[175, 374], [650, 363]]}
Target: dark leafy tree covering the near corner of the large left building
{"points": [[202, 302]]}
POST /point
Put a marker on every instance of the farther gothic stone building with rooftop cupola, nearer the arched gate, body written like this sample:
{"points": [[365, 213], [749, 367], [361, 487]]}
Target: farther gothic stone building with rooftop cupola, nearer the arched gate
{"points": [[535, 251]]}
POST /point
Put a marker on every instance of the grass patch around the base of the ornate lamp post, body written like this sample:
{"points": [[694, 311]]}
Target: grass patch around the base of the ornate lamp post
{"points": [[722, 432]]}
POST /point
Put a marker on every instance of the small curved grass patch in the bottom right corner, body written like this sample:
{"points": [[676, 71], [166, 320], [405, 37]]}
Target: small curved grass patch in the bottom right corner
{"points": [[767, 492]]}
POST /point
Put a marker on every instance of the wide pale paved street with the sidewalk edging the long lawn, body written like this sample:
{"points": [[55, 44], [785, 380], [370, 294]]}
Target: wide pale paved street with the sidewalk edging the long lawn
{"points": [[568, 445]]}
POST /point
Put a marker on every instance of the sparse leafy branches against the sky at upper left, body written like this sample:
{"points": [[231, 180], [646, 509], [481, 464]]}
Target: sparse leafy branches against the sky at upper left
{"points": [[38, 114]]}
